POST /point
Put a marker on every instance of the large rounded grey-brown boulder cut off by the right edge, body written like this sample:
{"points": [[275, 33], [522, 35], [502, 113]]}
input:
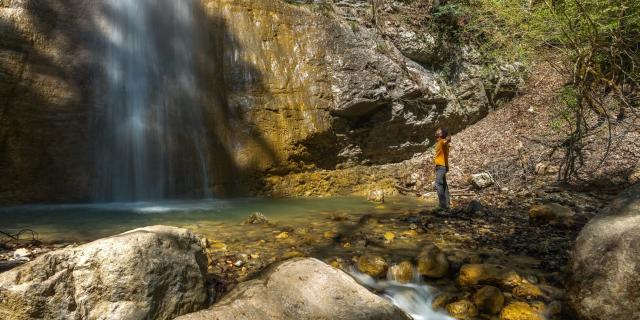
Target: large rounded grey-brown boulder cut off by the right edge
{"points": [[606, 262]]}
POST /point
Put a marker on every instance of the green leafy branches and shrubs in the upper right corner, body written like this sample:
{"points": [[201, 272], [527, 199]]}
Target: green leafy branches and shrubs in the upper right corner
{"points": [[599, 40]]}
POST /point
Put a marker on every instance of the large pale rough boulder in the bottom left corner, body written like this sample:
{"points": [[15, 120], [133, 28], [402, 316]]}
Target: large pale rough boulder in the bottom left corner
{"points": [[149, 273]]}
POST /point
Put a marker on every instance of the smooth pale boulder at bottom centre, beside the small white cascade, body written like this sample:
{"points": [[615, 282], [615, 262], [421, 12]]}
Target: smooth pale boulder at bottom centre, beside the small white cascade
{"points": [[301, 288]]}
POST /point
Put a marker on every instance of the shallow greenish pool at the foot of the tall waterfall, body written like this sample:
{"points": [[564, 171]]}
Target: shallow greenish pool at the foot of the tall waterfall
{"points": [[86, 222]]}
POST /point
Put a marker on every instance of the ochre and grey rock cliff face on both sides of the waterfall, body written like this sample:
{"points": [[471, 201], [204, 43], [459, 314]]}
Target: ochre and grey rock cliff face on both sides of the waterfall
{"points": [[289, 87]]}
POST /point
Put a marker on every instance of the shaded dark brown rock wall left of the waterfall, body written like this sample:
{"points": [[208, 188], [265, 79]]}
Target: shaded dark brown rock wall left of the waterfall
{"points": [[44, 108]]}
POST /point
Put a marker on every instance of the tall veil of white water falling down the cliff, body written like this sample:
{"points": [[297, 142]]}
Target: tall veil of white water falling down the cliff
{"points": [[152, 140]]}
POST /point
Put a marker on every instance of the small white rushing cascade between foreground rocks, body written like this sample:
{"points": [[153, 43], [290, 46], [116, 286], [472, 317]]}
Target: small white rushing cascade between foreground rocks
{"points": [[414, 298]]}
